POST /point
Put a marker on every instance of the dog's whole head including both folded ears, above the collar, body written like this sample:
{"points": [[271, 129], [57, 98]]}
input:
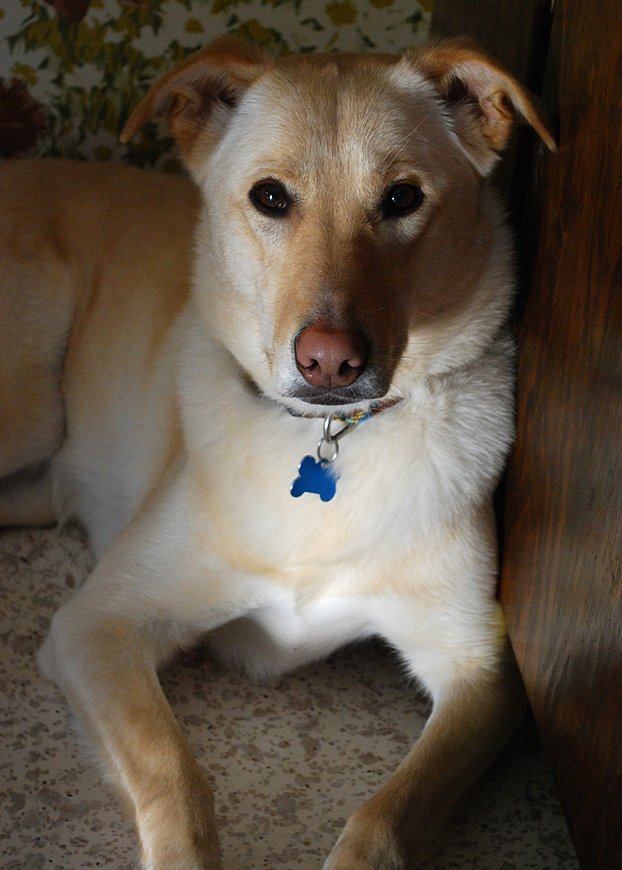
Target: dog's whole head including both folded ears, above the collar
{"points": [[349, 245]]}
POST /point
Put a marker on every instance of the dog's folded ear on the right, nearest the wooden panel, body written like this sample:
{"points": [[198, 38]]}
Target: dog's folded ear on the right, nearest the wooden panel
{"points": [[483, 100]]}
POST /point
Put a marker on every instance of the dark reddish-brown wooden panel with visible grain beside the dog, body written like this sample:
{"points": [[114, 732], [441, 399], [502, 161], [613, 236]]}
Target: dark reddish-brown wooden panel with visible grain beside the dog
{"points": [[562, 570]]}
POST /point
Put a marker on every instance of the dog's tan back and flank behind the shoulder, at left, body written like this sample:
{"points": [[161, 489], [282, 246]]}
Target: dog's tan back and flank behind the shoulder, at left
{"points": [[97, 268]]}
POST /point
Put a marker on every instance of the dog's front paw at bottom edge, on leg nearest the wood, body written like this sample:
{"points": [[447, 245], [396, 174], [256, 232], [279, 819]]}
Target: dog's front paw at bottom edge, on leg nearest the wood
{"points": [[366, 844]]}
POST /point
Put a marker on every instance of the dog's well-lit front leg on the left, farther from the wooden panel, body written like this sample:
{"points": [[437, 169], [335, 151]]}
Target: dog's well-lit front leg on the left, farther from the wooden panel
{"points": [[104, 660]]}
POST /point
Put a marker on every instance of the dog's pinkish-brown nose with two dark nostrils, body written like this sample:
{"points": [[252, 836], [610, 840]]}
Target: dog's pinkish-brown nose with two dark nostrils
{"points": [[330, 357]]}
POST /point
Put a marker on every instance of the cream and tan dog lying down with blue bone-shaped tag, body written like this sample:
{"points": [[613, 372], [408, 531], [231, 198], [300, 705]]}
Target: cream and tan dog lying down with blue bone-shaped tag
{"points": [[279, 397]]}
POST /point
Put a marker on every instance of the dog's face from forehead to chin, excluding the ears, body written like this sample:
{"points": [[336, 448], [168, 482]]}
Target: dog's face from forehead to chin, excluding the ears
{"points": [[337, 198]]}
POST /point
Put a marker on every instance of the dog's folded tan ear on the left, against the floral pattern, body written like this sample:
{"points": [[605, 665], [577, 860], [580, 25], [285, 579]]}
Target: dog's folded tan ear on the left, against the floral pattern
{"points": [[201, 91]]}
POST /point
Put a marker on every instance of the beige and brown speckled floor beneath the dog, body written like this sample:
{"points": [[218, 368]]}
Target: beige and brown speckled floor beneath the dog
{"points": [[289, 761]]}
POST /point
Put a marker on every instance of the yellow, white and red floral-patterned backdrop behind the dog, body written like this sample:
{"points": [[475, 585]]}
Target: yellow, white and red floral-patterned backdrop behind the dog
{"points": [[72, 70]]}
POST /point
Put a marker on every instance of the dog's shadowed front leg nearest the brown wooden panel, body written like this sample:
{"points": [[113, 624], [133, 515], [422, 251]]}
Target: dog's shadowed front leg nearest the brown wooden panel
{"points": [[473, 715]]}
